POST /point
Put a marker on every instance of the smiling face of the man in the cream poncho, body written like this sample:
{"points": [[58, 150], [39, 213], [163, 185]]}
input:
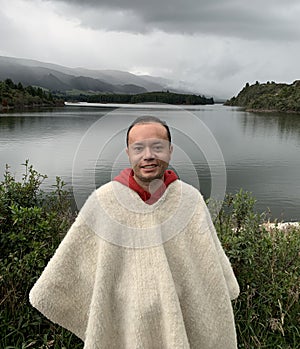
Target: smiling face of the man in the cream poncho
{"points": [[149, 151]]}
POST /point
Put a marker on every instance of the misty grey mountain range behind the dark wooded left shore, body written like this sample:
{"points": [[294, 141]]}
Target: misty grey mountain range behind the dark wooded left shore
{"points": [[55, 77]]}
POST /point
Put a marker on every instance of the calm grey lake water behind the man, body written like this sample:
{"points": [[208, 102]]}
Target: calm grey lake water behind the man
{"points": [[215, 148]]}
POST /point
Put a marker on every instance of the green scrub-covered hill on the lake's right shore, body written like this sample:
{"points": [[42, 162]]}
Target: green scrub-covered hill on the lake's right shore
{"points": [[269, 96]]}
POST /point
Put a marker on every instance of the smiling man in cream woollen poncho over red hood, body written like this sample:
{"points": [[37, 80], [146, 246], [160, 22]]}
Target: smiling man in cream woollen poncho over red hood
{"points": [[142, 267]]}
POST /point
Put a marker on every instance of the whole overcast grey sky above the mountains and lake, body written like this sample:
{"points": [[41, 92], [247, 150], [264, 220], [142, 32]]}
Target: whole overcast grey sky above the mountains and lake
{"points": [[212, 46]]}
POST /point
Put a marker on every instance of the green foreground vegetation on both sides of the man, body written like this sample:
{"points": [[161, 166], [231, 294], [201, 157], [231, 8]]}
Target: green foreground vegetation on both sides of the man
{"points": [[32, 224]]}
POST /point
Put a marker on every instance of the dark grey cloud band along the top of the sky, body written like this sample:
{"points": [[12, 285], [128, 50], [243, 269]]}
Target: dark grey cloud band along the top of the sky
{"points": [[271, 19]]}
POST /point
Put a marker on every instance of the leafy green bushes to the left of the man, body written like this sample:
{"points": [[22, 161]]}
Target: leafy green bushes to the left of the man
{"points": [[32, 224]]}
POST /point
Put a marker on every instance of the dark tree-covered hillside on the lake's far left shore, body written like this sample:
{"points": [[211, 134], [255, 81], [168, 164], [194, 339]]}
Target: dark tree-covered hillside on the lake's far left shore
{"points": [[16, 96]]}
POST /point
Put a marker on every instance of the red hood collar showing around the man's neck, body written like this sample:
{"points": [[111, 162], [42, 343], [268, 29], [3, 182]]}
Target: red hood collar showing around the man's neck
{"points": [[126, 177]]}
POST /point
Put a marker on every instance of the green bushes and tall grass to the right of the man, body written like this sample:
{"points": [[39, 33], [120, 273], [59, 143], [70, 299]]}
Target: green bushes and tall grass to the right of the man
{"points": [[267, 265]]}
